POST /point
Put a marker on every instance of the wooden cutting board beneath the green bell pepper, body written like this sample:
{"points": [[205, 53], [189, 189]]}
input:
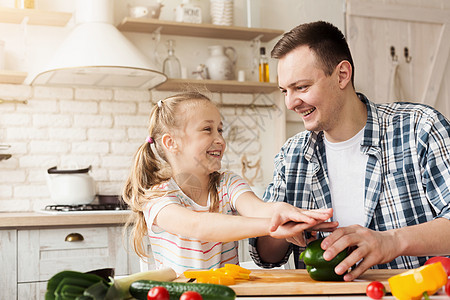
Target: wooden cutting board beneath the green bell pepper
{"points": [[298, 282]]}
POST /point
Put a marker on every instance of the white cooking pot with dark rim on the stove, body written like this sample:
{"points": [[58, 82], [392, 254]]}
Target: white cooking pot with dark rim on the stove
{"points": [[70, 187]]}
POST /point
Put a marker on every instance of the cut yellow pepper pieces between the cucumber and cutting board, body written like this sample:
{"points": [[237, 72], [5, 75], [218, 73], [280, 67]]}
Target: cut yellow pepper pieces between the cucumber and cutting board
{"points": [[226, 275]]}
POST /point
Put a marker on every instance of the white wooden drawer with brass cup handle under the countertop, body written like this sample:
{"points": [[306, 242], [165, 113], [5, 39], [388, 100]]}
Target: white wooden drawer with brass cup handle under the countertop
{"points": [[44, 252]]}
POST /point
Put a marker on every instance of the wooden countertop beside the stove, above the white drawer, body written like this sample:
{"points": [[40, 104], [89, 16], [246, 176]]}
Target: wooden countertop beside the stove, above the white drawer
{"points": [[15, 220]]}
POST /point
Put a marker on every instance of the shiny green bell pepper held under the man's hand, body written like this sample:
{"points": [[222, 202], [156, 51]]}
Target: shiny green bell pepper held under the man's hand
{"points": [[318, 268]]}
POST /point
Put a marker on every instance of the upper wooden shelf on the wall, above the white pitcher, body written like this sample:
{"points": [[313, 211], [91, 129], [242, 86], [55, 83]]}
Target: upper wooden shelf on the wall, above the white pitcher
{"points": [[198, 30]]}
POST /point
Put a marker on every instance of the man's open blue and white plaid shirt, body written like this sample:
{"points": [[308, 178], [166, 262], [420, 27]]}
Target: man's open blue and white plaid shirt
{"points": [[407, 176]]}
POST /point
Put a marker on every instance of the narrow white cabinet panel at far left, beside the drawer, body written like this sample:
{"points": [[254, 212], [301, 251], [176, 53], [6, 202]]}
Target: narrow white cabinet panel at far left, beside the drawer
{"points": [[8, 263]]}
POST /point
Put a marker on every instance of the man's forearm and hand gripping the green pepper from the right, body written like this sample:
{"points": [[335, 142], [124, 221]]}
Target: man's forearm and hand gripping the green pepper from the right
{"points": [[377, 247]]}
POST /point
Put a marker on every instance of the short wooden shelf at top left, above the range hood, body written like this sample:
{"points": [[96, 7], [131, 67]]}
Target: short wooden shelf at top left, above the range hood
{"points": [[35, 16]]}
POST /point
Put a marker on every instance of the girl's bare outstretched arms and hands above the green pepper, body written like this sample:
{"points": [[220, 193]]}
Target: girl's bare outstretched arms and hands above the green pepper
{"points": [[207, 226]]}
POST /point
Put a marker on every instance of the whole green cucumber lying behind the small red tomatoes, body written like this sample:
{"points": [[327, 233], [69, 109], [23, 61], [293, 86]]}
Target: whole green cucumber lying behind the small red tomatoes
{"points": [[139, 289]]}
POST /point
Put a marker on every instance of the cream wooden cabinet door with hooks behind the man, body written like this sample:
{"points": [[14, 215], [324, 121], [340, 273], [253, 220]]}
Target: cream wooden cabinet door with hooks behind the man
{"points": [[421, 74]]}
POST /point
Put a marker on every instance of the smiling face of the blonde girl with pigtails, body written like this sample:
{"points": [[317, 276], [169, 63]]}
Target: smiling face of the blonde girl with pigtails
{"points": [[200, 142]]}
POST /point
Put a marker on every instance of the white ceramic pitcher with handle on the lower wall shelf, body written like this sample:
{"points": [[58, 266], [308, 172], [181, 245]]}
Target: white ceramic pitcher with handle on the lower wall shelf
{"points": [[221, 62]]}
